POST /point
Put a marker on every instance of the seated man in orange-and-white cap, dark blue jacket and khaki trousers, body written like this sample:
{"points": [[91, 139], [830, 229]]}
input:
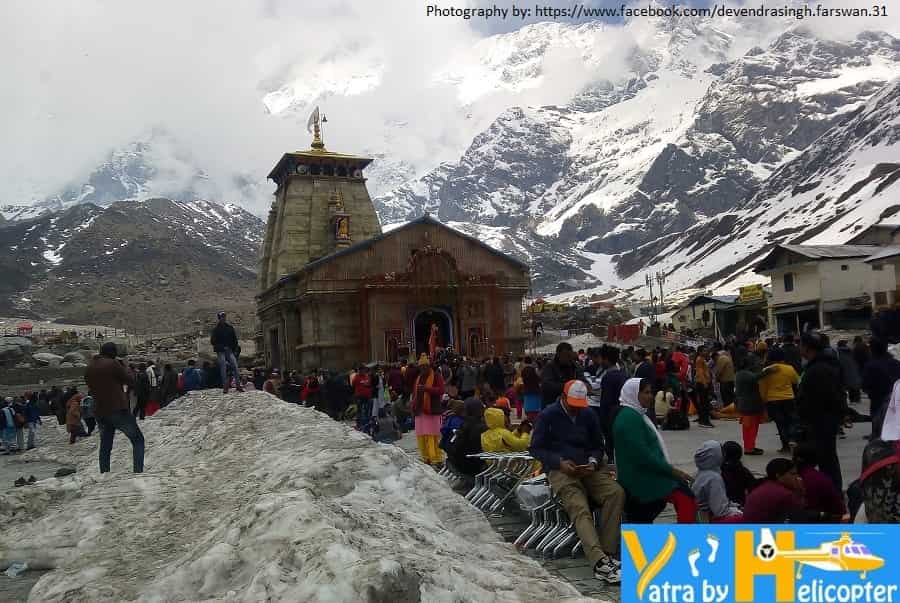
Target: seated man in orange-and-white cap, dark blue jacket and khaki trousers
{"points": [[568, 440]]}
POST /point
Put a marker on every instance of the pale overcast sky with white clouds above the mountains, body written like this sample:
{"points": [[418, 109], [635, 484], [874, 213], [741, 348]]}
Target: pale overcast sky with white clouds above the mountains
{"points": [[83, 77]]}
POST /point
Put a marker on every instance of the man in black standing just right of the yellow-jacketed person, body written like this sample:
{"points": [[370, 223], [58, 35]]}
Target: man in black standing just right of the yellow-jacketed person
{"points": [[820, 403]]}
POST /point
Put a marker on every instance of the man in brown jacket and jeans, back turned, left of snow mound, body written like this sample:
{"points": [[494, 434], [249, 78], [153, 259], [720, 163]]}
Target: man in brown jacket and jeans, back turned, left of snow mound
{"points": [[105, 377]]}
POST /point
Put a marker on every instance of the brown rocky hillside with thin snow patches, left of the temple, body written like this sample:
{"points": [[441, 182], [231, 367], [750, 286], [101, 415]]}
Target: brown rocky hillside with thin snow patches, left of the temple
{"points": [[132, 264]]}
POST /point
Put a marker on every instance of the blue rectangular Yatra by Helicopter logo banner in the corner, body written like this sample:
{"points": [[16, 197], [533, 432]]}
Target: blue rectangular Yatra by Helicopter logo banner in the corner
{"points": [[718, 563]]}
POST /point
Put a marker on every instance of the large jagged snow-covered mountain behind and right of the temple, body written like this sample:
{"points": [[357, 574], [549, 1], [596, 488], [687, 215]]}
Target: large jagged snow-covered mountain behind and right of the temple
{"points": [[687, 137]]}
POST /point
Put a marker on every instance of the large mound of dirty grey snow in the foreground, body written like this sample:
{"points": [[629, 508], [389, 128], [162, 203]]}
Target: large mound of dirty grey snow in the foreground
{"points": [[247, 498]]}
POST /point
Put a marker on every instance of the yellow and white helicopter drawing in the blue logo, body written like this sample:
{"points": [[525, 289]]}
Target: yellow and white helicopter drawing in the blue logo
{"points": [[841, 555]]}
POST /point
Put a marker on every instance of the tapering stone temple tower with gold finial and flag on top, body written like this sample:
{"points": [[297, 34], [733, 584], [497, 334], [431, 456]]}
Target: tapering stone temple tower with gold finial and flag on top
{"points": [[321, 206]]}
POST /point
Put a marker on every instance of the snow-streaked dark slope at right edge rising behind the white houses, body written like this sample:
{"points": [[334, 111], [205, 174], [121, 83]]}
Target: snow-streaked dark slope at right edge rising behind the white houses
{"points": [[845, 181]]}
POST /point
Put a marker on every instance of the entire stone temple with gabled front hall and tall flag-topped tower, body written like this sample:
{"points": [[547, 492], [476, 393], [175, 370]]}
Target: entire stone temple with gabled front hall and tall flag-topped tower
{"points": [[336, 291]]}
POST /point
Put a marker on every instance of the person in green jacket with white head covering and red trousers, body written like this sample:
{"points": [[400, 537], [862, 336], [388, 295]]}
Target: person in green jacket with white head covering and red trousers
{"points": [[644, 469]]}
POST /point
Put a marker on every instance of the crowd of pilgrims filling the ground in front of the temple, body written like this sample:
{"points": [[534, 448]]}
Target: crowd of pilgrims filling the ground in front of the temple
{"points": [[595, 421]]}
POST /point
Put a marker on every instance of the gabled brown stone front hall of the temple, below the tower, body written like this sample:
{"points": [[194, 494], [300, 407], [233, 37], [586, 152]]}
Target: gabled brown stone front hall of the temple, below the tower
{"points": [[336, 315]]}
